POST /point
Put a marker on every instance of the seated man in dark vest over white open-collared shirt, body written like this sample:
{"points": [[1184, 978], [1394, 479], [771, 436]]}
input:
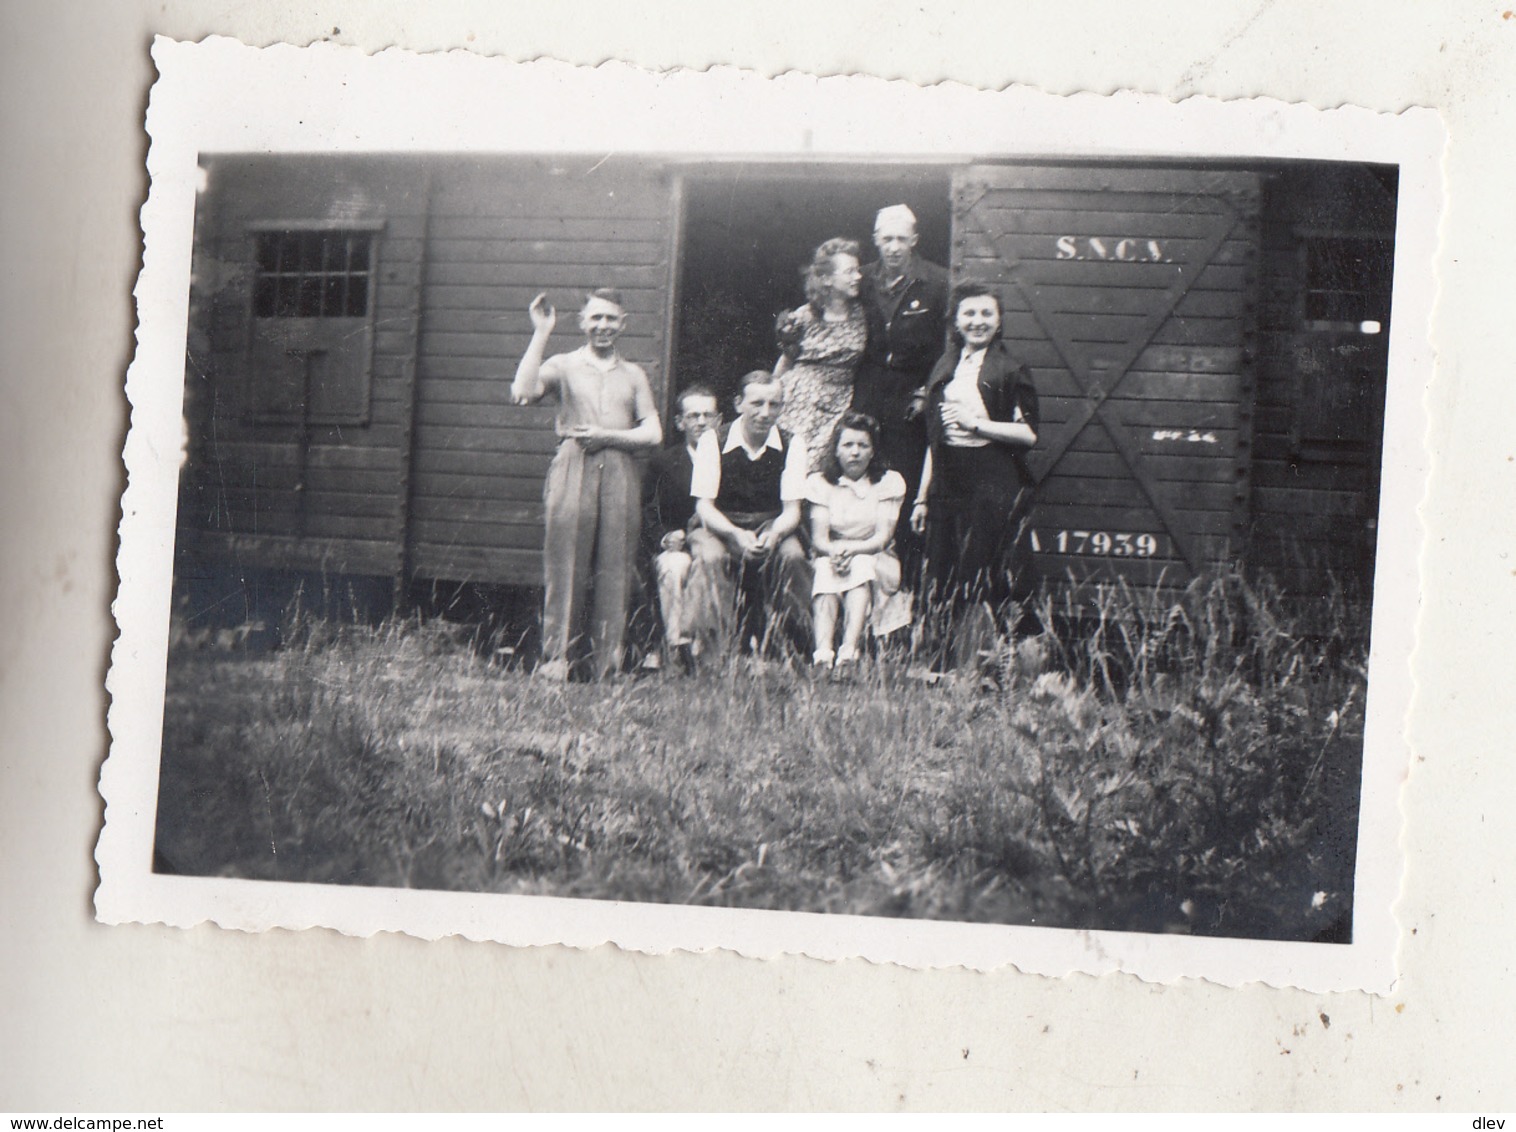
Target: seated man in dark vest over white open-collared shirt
{"points": [[748, 486]]}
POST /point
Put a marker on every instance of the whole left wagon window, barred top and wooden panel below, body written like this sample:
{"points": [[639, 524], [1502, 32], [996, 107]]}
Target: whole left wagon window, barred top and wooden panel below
{"points": [[312, 343]]}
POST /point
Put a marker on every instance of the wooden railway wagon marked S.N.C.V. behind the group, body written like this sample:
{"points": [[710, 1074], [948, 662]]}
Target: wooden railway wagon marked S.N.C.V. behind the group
{"points": [[1209, 343]]}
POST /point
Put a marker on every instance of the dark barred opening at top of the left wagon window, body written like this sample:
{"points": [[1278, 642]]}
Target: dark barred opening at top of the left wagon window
{"points": [[313, 275]]}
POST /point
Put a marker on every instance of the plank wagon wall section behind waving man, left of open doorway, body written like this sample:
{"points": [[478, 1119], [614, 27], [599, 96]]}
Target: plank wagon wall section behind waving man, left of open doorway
{"points": [[501, 233]]}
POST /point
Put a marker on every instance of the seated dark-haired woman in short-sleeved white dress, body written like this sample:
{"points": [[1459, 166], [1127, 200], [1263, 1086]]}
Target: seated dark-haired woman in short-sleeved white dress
{"points": [[856, 502]]}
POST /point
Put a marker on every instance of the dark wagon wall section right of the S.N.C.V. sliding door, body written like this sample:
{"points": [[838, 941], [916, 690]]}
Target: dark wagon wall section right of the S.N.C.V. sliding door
{"points": [[1321, 377]]}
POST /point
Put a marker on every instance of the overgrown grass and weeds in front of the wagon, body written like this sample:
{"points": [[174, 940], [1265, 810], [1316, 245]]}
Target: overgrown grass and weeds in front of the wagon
{"points": [[1185, 766]]}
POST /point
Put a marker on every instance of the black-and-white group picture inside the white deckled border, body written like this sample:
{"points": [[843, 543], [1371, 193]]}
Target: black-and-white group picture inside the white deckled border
{"points": [[974, 534]]}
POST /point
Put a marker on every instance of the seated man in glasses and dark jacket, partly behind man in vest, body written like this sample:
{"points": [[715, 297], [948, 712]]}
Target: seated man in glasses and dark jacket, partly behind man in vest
{"points": [[669, 516]]}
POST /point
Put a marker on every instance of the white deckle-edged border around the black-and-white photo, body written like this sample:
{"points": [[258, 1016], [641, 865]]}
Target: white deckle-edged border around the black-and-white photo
{"points": [[221, 96]]}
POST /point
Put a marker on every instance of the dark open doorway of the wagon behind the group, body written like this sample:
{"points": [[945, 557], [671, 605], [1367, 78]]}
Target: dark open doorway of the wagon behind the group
{"points": [[750, 231]]}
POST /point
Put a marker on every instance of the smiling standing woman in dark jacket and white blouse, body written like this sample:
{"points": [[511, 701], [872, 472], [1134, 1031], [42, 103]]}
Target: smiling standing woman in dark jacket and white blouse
{"points": [[976, 495]]}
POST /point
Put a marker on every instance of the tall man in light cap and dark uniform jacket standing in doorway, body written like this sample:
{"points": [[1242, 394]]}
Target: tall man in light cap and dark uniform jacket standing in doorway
{"points": [[907, 301]]}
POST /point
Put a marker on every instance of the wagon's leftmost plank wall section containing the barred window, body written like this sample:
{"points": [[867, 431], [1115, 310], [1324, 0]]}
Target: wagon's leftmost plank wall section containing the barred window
{"points": [[298, 405]]}
